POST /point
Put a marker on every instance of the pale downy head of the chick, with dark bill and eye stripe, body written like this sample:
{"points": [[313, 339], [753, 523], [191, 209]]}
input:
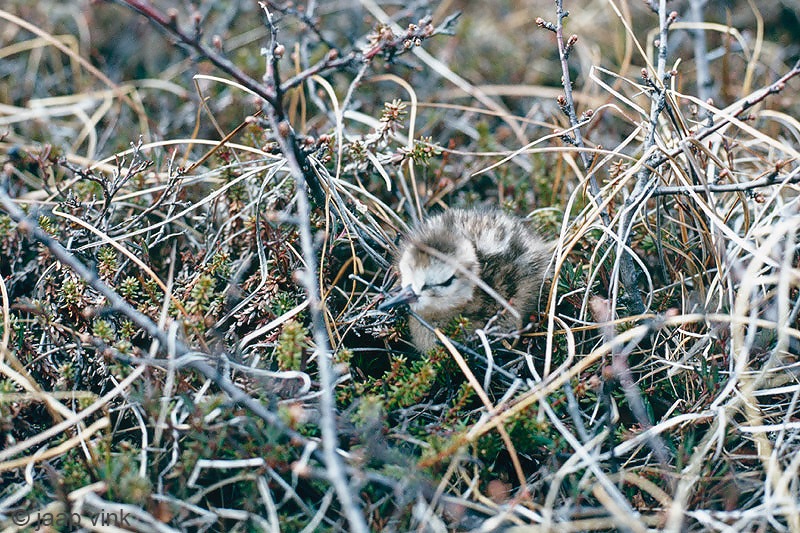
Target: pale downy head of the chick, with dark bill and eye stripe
{"points": [[436, 273]]}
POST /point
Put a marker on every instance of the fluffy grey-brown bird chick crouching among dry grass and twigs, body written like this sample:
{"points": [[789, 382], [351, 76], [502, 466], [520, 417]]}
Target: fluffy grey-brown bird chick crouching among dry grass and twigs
{"points": [[453, 262]]}
